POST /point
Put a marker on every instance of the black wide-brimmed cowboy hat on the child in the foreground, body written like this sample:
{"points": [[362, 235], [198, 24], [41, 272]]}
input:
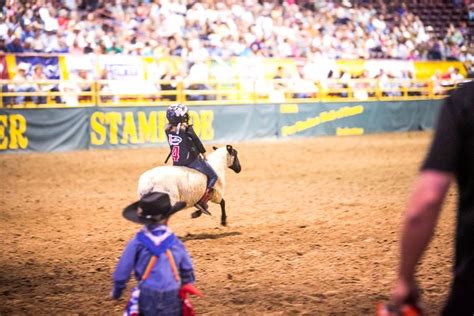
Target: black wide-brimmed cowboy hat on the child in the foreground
{"points": [[151, 208]]}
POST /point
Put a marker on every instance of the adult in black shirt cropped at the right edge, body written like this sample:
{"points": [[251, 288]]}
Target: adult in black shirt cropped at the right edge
{"points": [[451, 156]]}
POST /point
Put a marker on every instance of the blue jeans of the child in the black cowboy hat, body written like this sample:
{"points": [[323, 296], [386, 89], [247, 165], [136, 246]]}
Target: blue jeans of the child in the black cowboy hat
{"points": [[155, 303]]}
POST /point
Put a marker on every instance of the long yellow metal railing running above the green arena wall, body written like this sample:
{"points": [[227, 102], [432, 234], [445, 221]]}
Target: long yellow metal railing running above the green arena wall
{"points": [[60, 93]]}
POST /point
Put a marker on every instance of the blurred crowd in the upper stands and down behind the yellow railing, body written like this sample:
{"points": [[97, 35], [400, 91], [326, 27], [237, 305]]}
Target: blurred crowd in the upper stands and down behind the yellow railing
{"points": [[314, 31]]}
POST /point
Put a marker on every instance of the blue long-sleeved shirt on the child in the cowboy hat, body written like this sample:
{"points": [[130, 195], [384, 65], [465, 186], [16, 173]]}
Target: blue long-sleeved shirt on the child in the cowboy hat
{"points": [[136, 258]]}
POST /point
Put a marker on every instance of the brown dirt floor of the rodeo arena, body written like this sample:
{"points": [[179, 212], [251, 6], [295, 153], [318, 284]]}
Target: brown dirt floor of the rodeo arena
{"points": [[313, 228]]}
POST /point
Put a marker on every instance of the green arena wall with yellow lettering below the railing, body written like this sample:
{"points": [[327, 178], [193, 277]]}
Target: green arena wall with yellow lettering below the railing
{"points": [[64, 129]]}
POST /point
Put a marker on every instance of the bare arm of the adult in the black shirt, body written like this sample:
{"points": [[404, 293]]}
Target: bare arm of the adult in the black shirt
{"points": [[421, 216]]}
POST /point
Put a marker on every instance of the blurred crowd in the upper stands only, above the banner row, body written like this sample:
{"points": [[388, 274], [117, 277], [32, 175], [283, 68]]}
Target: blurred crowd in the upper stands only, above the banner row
{"points": [[222, 29]]}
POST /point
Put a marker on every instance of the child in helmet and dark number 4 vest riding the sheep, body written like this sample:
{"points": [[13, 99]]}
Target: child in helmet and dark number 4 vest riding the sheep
{"points": [[187, 149]]}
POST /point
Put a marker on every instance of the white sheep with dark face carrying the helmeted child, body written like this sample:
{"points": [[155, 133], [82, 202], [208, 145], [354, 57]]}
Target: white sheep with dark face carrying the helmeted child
{"points": [[184, 184]]}
